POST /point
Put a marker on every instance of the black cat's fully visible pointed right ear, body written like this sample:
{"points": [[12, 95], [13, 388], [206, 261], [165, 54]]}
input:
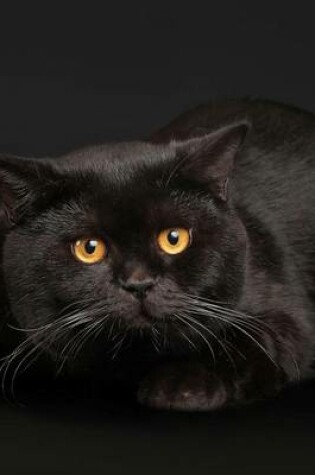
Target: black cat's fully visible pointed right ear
{"points": [[209, 160]]}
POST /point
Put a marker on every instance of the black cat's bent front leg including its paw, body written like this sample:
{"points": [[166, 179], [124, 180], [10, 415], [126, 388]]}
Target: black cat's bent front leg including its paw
{"points": [[259, 368]]}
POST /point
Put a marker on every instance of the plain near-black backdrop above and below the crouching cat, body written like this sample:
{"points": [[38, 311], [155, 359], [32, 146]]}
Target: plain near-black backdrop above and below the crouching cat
{"points": [[70, 77]]}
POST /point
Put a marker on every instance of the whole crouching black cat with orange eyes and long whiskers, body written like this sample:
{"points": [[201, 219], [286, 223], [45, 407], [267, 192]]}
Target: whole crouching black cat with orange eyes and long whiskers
{"points": [[183, 265]]}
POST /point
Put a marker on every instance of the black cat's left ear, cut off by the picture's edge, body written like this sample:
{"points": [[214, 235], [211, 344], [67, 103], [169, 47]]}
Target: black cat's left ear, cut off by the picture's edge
{"points": [[21, 184]]}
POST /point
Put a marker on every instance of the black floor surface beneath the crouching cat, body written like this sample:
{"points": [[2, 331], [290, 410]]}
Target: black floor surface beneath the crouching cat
{"points": [[90, 436]]}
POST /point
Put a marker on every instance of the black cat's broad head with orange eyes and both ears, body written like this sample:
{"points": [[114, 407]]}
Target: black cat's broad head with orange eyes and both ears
{"points": [[128, 232]]}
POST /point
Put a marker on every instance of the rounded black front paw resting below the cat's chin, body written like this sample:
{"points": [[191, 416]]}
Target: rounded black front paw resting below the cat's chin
{"points": [[186, 387]]}
